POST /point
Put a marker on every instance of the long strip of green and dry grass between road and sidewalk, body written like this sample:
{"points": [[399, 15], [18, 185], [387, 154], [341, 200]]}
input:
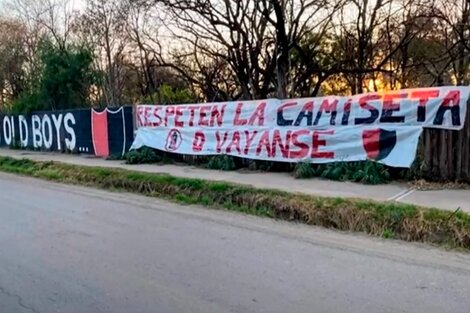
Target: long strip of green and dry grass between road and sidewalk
{"points": [[386, 219]]}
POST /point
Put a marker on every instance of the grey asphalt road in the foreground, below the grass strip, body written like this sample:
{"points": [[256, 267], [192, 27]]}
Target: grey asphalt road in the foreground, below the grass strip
{"points": [[71, 249]]}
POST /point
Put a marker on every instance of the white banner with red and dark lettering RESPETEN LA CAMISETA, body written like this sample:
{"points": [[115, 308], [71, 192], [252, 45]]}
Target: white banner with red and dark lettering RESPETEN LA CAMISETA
{"points": [[379, 126]]}
